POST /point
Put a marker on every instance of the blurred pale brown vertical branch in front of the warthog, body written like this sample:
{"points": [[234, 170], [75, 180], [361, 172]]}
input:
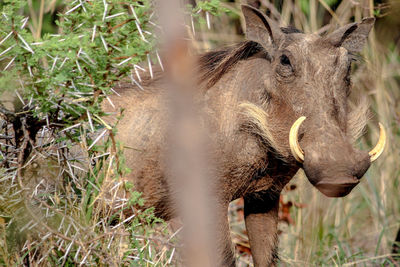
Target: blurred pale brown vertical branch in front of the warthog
{"points": [[191, 173]]}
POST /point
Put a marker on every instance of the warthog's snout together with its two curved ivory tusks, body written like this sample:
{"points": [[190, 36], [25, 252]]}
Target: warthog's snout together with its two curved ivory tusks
{"points": [[332, 165]]}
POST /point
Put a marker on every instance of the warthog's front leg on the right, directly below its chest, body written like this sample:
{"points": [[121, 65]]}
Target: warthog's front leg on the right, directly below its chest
{"points": [[261, 216]]}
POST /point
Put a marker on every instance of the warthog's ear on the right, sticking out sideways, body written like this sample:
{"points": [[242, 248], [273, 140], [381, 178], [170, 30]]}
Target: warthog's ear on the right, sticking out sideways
{"points": [[352, 36]]}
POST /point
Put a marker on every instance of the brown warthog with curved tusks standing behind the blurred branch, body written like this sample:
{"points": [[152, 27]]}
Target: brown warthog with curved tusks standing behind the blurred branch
{"points": [[277, 102]]}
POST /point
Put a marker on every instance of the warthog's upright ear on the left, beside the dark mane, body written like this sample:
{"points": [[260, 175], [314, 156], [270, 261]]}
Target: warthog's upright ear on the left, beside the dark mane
{"points": [[261, 29]]}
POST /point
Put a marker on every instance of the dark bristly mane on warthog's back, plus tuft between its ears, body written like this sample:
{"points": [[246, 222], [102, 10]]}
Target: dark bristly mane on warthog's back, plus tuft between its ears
{"points": [[214, 64]]}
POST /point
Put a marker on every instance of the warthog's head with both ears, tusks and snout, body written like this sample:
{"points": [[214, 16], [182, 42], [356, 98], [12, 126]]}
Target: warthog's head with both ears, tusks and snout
{"points": [[307, 87]]}
